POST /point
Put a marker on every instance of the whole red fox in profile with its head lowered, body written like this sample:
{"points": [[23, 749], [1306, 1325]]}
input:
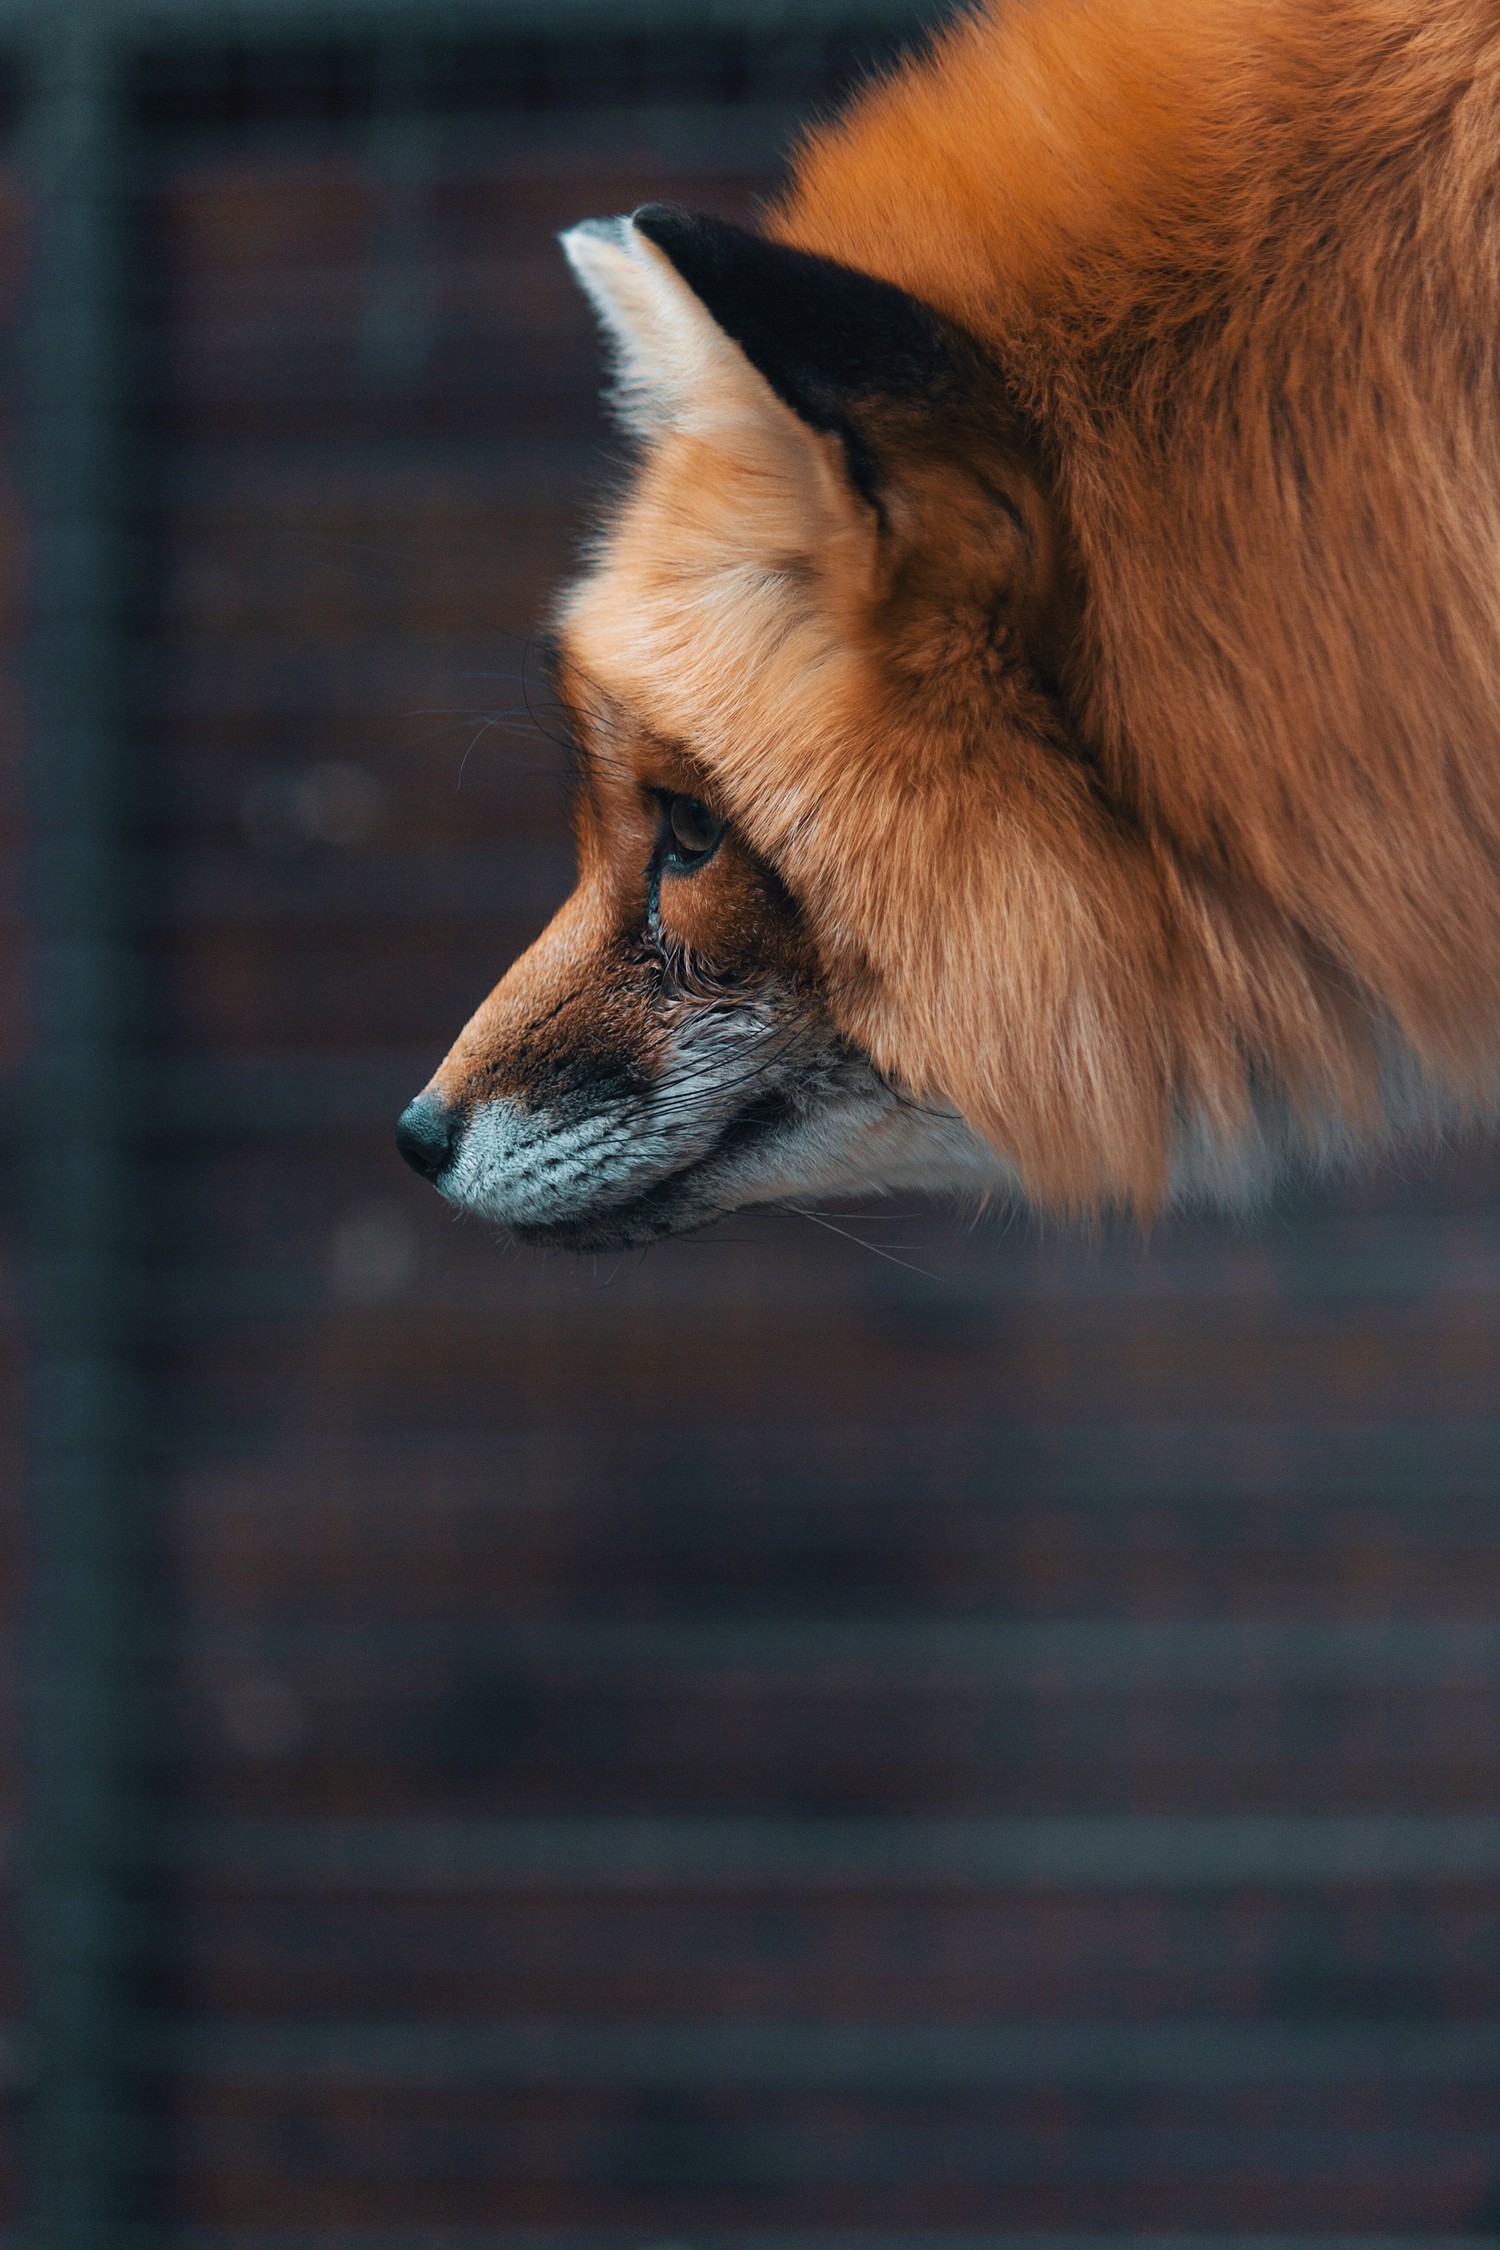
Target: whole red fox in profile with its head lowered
{"points": [[1038, 701]]}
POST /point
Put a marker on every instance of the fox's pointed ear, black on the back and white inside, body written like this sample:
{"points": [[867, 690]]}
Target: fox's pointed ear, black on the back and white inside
{"points": [[701, 309]]}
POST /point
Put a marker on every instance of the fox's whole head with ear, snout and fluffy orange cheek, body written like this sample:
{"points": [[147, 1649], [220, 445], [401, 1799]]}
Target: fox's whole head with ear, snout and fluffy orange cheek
{"points": [[853, 910]]}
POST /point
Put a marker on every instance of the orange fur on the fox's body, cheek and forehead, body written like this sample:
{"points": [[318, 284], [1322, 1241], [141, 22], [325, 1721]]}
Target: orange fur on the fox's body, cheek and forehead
{"points": [[1189, 789]]}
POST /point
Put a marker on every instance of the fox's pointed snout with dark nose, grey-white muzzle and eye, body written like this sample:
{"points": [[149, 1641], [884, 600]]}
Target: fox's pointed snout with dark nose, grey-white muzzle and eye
{"points": [[660, 1056]]}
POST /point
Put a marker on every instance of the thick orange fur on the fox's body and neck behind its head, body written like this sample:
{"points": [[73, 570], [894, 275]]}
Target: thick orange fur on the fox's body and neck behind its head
{"points": [[1243, 264]]}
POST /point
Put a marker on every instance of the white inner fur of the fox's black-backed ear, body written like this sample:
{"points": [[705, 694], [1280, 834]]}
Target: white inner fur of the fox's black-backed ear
{"points": [[674, 366]]}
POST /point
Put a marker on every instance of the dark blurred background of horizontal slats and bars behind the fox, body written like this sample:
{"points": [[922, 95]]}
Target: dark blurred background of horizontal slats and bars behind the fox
{"points": [[833, 1734]]}
